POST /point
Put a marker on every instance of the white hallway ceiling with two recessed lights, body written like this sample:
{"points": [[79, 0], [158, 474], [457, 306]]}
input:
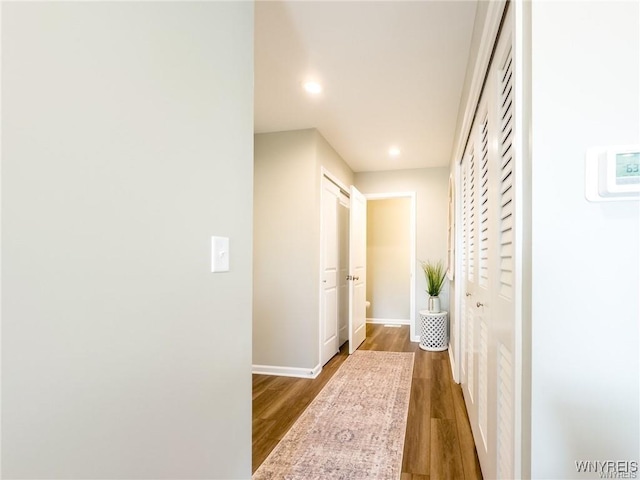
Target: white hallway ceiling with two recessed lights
{"points": [[392, 74]]}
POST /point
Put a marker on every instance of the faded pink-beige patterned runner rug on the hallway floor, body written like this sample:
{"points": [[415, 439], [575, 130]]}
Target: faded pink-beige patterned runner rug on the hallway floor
{"points": [[355, 427]]}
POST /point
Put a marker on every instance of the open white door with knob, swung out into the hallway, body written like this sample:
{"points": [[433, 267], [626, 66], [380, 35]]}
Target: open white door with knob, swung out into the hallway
{"points": [[357, 269]]}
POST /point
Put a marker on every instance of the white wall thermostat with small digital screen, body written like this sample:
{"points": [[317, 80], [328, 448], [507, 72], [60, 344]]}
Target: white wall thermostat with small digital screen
{"points": [[613, 173]]}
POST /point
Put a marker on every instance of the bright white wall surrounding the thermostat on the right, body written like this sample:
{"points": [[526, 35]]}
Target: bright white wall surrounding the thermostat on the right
{"points": [[585, 365]]}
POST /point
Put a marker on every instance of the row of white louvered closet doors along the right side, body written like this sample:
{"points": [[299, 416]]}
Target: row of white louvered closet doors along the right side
{"points": [[487, 186]]}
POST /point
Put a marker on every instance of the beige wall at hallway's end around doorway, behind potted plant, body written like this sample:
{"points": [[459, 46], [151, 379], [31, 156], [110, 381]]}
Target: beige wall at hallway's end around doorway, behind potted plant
{"points": [[431, 187]]}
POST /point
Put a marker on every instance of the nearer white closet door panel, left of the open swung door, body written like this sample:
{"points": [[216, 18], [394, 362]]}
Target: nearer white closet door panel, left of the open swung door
{"points": [[329, 271]]}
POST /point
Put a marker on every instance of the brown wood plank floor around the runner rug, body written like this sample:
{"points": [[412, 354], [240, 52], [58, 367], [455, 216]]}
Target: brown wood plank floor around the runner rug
{"points": [[438, 442]]}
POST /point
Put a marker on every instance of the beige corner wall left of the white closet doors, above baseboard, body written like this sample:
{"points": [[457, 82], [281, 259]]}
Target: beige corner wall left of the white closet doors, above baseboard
{"points": [[287, 245]]}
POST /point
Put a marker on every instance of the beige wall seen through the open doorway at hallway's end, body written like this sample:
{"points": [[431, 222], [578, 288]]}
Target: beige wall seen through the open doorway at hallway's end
{"points": [[388, 257]]}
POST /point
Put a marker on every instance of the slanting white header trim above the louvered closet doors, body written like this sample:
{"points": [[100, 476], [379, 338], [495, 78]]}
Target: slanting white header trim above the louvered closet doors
{"points": [[487, 42]]}
